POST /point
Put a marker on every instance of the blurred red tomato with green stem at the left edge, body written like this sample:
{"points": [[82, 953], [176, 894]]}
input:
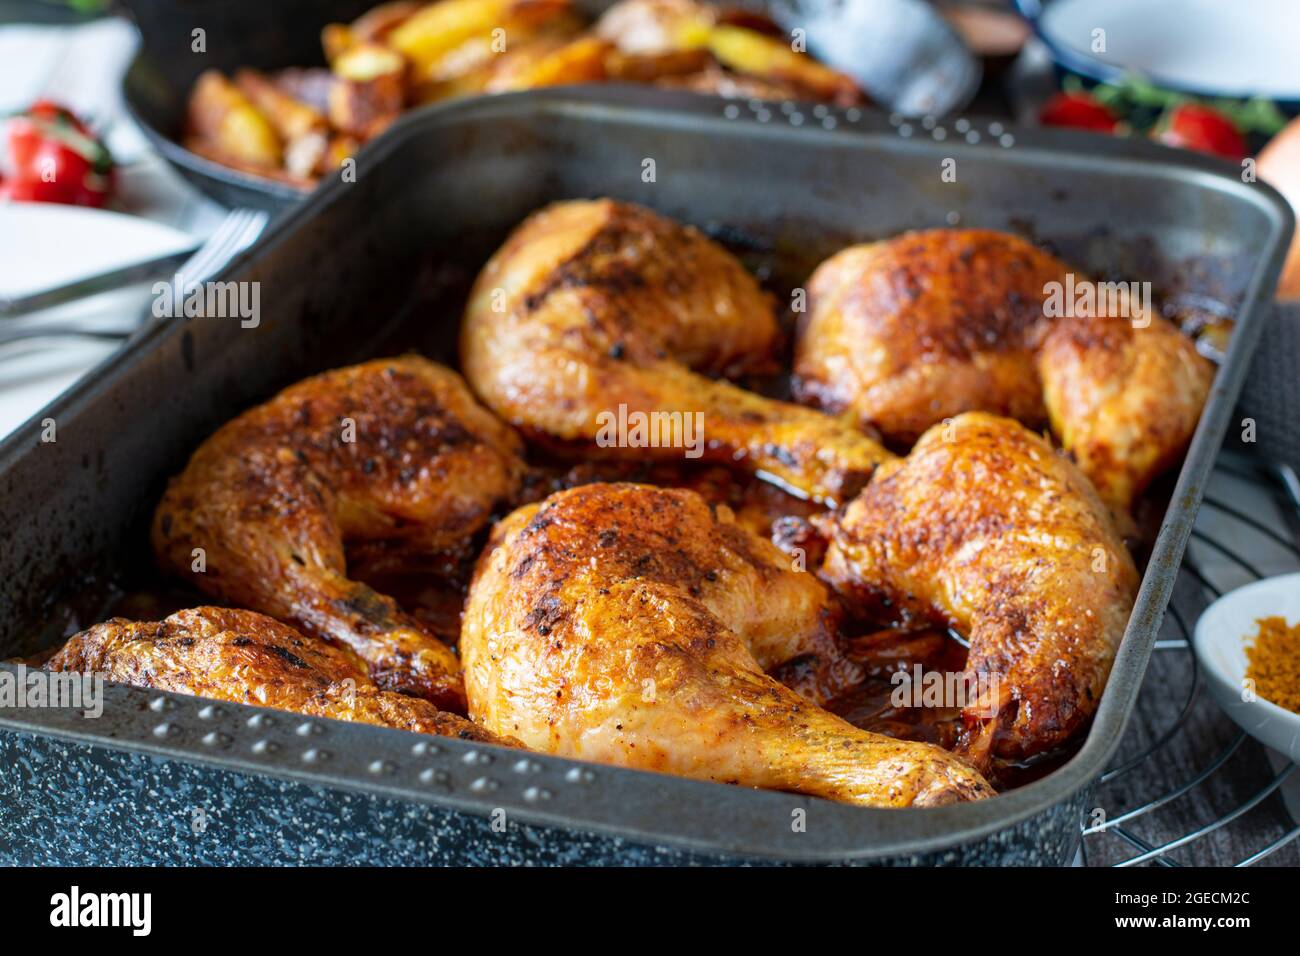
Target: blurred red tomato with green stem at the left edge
{"points": [[55, 158]]}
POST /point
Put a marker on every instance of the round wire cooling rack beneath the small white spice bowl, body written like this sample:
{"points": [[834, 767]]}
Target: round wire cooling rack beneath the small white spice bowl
{"points": [[1188, 786]]}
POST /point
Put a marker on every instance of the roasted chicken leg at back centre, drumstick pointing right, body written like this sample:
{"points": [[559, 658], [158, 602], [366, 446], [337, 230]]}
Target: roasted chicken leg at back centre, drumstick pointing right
{"points": [[591, 306]]}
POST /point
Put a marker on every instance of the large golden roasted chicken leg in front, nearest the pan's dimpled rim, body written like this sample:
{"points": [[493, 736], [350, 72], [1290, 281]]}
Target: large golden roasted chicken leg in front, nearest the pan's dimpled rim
{"points": [[631, 625]]}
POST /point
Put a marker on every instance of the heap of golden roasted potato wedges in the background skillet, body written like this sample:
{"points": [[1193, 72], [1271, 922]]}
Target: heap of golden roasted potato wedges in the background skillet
{"points": [[297, 124]]}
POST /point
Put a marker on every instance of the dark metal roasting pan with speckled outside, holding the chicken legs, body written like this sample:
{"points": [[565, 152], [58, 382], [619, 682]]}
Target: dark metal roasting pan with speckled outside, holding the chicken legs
{"points": [[379, 266]]}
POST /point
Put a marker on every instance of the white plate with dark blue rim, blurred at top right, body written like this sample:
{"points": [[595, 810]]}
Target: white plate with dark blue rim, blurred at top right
{"points": [[1219, 47]]}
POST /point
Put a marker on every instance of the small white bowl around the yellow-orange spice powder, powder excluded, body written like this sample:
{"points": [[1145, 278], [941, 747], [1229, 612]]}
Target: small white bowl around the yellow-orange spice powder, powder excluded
{"points": [[1221, 638]]}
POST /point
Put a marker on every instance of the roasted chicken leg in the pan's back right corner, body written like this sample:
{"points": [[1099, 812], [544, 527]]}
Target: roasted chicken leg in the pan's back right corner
{"points": [[912, 331]]}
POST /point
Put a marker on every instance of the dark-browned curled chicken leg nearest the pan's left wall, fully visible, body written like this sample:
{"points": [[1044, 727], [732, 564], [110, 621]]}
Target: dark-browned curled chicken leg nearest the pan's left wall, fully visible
{"points": [[392, 461]]}
